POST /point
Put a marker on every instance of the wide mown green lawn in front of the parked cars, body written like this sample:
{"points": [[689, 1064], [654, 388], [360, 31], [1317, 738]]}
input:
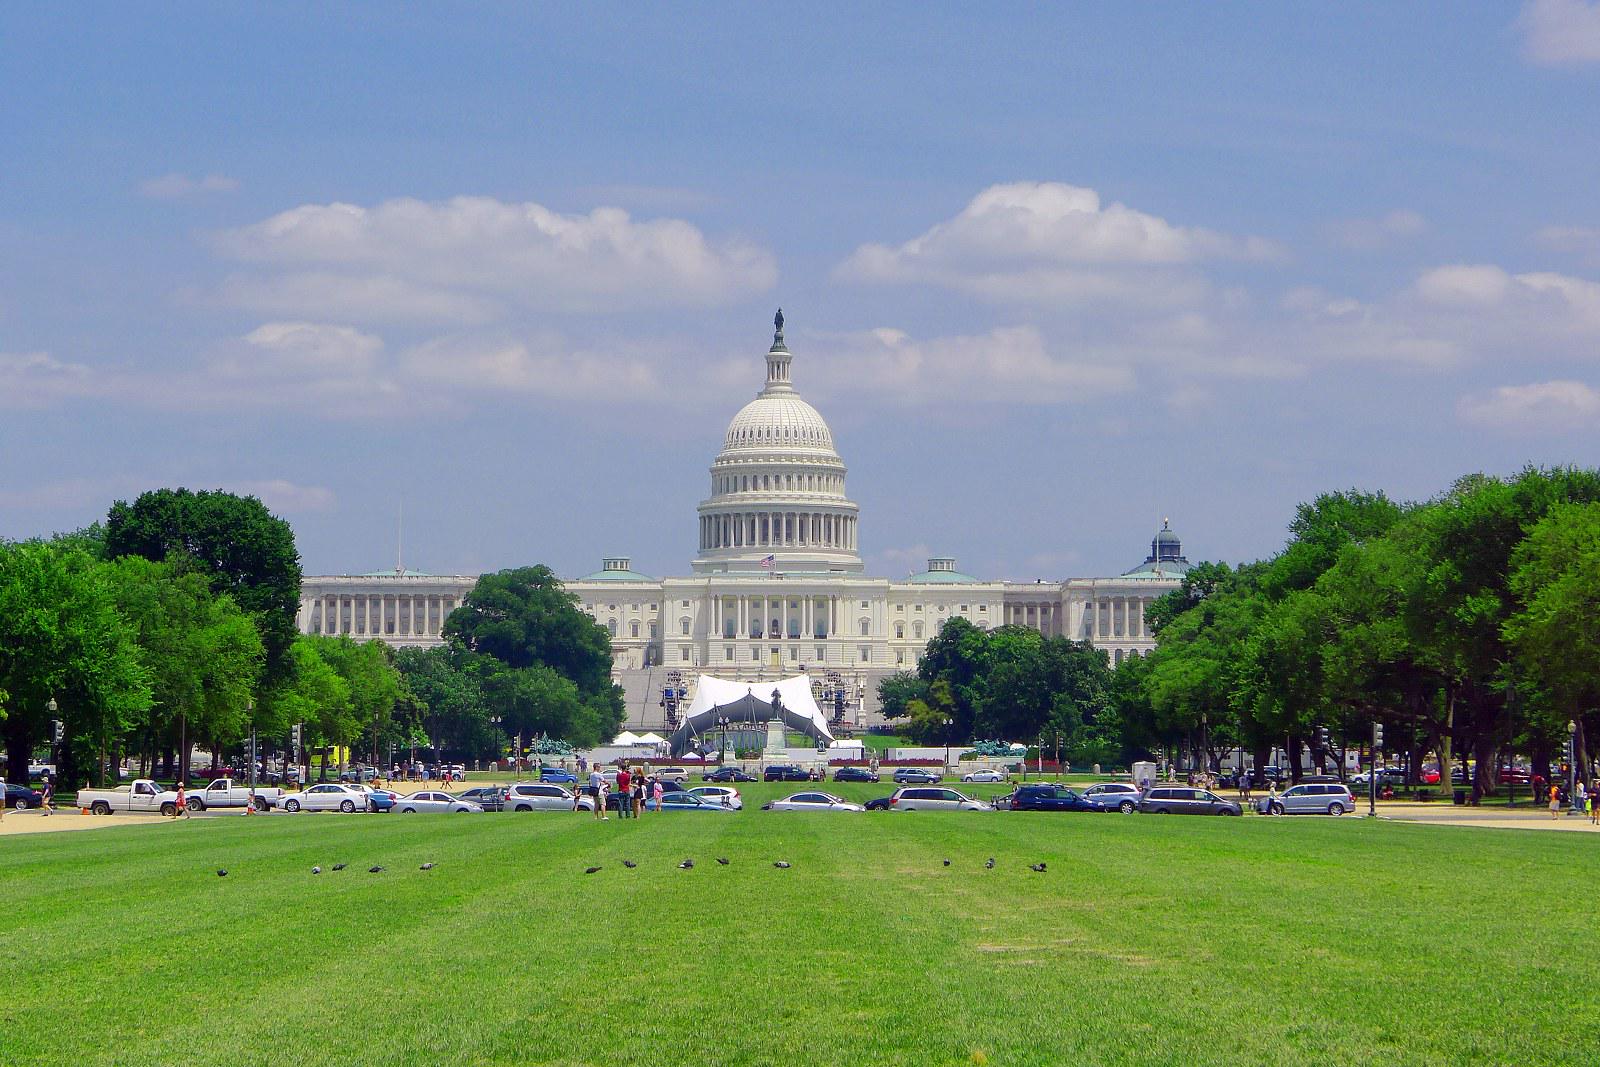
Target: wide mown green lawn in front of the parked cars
{"points": [[1148, 941]]}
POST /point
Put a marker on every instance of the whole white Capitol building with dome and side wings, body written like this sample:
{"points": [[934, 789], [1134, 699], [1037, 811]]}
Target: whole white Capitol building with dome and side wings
{"points": [[777, 588]]}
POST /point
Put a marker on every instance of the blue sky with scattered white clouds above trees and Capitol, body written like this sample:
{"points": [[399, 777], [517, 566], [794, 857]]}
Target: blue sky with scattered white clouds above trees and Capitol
{"points": [[1050, 273]]}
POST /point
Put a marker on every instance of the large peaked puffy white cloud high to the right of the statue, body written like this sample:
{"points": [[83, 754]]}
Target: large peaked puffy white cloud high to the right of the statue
{"points": [[1054, 242]]}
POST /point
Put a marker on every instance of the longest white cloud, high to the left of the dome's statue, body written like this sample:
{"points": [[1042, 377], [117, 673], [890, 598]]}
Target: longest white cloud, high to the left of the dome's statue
{"points": [[476, 258]]}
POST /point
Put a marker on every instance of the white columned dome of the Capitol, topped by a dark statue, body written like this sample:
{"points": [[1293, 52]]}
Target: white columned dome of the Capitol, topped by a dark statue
{"points": [[778, 487]]}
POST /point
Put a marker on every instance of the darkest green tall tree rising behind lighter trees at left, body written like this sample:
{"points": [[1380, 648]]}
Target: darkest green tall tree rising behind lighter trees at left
{"points": [[241, 548]]}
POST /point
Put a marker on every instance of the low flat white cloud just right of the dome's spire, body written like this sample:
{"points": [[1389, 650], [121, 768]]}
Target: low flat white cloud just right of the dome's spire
{"points": [[1006, 366]]}
